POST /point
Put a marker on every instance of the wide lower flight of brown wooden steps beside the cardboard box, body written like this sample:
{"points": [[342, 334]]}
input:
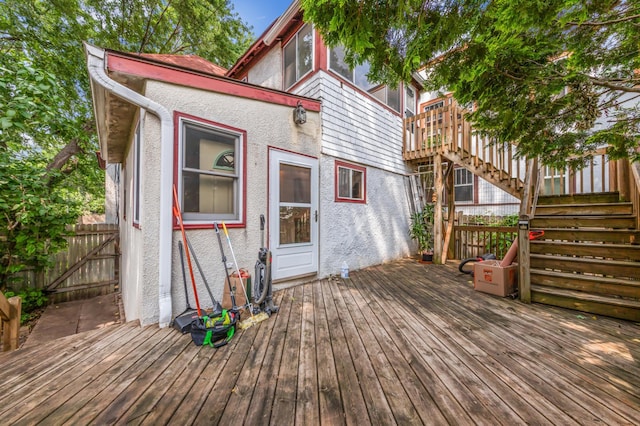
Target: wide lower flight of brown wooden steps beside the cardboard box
{"points": [[589, 256]]}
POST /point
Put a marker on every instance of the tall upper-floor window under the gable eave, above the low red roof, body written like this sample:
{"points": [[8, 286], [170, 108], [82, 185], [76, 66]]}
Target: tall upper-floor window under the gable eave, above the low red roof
{"points": [[298, 56]]}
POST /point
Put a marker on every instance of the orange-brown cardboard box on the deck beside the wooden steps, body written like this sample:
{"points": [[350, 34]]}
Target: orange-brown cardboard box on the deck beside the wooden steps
{"points": [[490, 277]]}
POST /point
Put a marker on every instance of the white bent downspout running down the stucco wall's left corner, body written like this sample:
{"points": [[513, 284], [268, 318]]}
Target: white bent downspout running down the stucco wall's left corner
{"points": [[96, 63]]}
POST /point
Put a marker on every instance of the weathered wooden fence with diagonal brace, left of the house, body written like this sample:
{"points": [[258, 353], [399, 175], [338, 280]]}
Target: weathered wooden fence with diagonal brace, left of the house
{"points": [[89, 267]]}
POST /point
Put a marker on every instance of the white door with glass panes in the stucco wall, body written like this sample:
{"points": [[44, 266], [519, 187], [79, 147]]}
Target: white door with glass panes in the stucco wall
{"points": [[293, 214]]}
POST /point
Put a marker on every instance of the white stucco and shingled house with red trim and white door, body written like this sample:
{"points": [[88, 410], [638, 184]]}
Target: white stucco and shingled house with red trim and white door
{"points": [[333, 189]]}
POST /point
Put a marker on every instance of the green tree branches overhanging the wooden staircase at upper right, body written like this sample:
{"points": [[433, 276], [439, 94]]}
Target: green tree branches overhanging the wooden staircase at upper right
{"points": [[557, 78]]}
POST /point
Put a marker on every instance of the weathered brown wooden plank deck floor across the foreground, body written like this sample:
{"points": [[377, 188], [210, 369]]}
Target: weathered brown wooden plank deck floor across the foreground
{"points": [[402, 343]]}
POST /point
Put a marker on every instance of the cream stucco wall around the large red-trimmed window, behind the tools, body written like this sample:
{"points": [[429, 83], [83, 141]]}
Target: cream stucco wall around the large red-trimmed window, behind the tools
{"points": [[266, 125]]}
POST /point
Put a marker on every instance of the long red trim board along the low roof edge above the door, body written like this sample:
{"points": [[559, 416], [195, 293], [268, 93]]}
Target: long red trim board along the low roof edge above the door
{"points": [[144, 69]]}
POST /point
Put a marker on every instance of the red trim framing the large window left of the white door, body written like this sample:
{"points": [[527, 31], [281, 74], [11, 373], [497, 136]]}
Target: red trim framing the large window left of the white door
{"points": [[177, 116]]}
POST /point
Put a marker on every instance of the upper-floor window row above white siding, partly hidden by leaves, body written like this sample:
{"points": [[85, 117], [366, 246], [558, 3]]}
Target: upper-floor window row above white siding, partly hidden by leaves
{"points": [[358, 76]]}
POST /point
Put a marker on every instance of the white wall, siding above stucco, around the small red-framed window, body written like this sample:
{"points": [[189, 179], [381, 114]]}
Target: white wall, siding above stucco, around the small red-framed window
{"points": [[358, 130]]}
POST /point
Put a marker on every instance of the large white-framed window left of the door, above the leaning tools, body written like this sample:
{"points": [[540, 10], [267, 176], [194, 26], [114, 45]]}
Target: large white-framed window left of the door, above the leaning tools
{"points": [[211, 173]]}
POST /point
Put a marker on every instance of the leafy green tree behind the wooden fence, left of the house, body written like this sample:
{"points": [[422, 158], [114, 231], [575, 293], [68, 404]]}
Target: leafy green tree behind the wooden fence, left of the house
{"points": [[48, 169]]}
